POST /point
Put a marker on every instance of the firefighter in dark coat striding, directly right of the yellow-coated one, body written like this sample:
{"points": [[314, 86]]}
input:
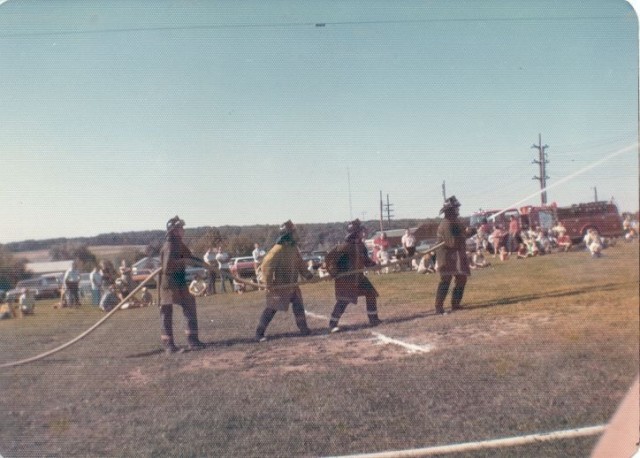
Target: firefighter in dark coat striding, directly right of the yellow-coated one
{"points": [[349, 256]]}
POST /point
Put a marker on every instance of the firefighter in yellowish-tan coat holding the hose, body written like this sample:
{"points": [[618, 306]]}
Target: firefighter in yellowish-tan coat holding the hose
{"points": [[281, 266]]}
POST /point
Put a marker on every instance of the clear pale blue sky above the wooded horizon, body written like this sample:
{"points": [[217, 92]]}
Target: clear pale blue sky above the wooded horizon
{"points": [[118, 115]]}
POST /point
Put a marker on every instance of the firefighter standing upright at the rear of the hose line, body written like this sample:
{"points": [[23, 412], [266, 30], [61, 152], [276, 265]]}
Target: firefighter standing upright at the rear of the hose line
{"points": [[174, 289]]}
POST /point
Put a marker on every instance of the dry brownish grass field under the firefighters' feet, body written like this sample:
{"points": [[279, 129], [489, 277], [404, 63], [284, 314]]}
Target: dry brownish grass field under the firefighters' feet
{"points": [[543, 344]]}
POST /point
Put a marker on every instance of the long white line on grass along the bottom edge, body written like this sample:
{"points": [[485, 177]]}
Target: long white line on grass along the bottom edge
{"points": [[494, 443]]}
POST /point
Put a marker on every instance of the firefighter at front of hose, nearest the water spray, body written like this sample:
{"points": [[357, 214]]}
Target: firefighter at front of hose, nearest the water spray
{"points": [[451, 257]]}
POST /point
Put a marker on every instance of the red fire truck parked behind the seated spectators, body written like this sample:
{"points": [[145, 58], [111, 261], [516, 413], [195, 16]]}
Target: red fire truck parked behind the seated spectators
{"points": [[577, 219]]}
